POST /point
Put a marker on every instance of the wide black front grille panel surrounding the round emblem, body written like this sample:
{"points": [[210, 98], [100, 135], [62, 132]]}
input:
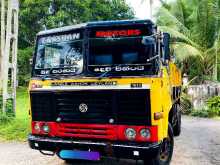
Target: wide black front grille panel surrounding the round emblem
{"points": [[128, 107]]}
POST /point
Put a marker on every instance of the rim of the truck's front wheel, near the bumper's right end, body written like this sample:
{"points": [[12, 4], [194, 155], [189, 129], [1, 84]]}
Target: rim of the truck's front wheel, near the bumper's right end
{"points": [[166, 150]]}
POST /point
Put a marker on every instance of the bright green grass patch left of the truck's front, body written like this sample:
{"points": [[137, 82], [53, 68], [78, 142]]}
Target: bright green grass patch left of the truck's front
{"points": [[17, 128]]}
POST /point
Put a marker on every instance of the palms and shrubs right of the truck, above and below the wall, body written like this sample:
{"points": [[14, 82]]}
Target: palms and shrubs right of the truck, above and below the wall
{"points": [[194, 26]]}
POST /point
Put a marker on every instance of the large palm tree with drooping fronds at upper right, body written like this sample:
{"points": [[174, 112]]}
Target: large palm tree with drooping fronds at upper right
{"points": [[194, 26]]}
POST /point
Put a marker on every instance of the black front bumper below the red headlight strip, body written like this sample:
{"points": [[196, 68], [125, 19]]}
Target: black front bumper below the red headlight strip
{"points": [[129, 150]]}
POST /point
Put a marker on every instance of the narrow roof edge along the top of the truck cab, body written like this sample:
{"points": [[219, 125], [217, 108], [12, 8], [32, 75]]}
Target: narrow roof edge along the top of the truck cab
{"points": [[95, 24]]}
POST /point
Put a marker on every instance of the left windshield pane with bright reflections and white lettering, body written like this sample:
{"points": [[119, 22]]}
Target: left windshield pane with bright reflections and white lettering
{"points": [[59, 55]]}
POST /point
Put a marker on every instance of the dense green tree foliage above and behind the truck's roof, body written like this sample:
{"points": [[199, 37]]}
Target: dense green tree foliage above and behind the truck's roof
{"points": [[37, 15]]}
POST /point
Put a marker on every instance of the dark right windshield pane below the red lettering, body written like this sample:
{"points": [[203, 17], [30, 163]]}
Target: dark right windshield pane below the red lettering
{"points": [[126, 55]]}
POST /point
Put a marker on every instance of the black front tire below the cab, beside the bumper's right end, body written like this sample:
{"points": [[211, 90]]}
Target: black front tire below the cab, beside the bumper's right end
{"points": [[166, 151]]}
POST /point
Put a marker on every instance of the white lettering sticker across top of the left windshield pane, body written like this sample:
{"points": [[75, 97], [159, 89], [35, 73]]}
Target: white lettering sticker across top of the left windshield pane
{"points": [[59, 38]]}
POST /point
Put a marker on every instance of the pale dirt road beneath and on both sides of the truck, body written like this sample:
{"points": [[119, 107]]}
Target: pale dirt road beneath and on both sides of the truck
{"points": [[199, 144]]}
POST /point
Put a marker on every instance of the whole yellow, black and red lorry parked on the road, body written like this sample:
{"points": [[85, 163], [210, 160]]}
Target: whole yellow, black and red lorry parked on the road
{"points": [[105, 89]]}
